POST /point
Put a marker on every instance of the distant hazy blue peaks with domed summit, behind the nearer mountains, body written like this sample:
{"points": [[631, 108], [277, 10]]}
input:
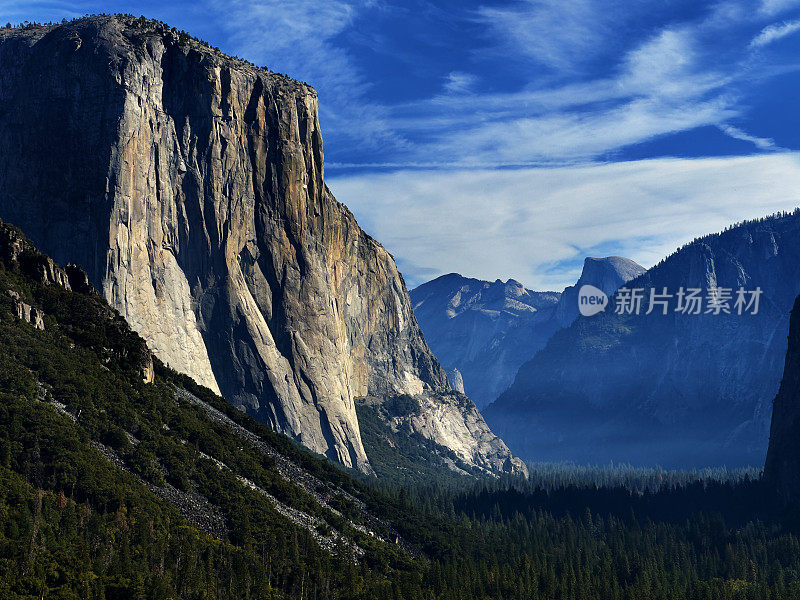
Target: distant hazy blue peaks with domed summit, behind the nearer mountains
{"points": [[487, 330]]}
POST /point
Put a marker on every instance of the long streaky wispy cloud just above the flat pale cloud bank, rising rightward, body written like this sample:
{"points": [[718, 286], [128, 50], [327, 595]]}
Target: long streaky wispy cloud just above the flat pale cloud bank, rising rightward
{"points": [[660, 87]]}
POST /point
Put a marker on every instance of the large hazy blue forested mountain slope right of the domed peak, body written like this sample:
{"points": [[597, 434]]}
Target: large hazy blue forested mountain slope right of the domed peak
{"points": [[678, 390]]}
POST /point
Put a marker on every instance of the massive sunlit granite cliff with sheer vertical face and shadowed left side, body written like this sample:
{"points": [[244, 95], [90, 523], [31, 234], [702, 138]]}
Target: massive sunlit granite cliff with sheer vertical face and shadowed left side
{"points": [[189, 184]]}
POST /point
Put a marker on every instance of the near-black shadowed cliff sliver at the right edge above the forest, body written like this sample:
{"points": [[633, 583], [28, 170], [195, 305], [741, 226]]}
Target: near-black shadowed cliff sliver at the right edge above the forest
{"points": [[782, 467]]}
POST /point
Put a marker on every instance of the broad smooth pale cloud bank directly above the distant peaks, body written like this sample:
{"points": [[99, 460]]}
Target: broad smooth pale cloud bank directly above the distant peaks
{"points": [[537, 225]]}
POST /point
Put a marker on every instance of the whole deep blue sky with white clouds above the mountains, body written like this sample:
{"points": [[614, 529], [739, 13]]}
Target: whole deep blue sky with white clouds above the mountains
{"points": [[511, 139]]}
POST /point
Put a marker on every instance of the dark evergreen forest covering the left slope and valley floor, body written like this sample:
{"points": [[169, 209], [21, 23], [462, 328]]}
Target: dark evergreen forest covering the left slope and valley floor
{"points": [[114, 488]]}
